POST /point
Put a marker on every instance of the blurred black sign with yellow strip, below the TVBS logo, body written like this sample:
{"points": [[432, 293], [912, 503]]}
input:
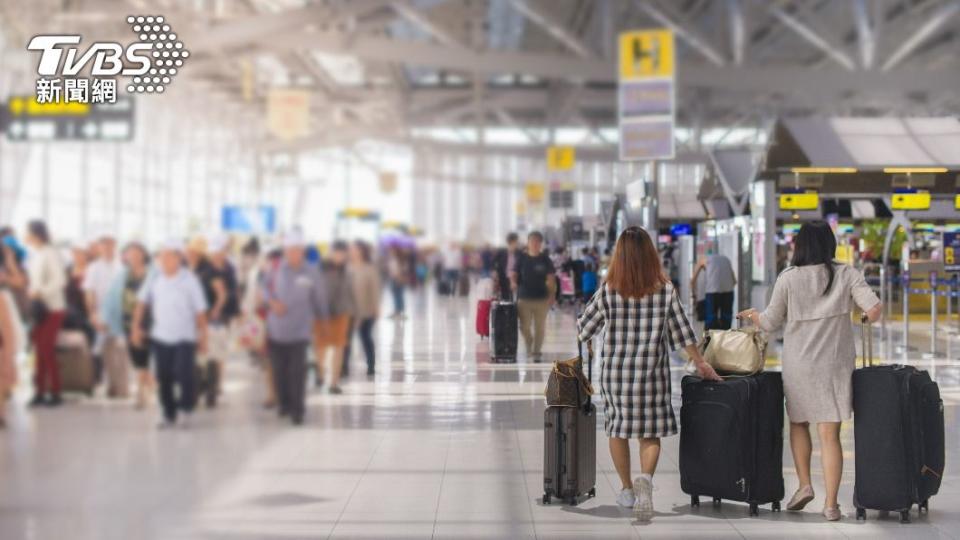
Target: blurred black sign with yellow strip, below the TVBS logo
{"points": [[22, 118]]}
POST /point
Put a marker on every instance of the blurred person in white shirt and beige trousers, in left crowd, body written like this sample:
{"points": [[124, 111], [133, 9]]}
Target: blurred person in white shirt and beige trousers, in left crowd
{"points": [[96, 285]]}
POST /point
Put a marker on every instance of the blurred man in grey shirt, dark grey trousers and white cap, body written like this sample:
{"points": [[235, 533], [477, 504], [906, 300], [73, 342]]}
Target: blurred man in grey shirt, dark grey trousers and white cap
{"points": [[296, 296]]}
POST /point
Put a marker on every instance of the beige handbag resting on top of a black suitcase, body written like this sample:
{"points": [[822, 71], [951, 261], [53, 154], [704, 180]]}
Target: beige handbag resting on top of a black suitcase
{"points": [[735, 352]]}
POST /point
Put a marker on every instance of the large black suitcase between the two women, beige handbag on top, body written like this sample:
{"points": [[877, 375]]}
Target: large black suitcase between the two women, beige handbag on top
{"points": [[731, 440]]}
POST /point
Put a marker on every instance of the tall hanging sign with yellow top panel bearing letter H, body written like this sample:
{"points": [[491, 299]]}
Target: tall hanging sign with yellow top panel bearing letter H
{"points": [[646, 95]]}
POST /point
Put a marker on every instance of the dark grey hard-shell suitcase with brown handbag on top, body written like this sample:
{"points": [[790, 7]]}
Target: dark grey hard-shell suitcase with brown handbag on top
{"points": [[569, 453]]}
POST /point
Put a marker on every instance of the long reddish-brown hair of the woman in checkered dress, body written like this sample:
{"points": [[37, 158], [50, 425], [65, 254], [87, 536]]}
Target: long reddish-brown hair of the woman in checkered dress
{"points": [[635, 268]]}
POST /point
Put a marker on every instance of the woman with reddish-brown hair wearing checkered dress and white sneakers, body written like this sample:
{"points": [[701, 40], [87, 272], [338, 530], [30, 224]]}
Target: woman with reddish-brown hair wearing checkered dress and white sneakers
{"points": [[643, 321]]}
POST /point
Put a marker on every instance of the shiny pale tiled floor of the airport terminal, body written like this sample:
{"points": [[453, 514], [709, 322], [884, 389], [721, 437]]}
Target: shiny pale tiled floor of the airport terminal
{"points": [[442, 444]]}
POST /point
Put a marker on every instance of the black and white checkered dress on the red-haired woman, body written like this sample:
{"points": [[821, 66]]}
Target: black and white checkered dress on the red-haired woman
{"points": [[635, 373]]}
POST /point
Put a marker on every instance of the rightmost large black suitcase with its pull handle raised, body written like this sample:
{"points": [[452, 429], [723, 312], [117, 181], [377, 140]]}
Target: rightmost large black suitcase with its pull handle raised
{"points": [[898, 436]]}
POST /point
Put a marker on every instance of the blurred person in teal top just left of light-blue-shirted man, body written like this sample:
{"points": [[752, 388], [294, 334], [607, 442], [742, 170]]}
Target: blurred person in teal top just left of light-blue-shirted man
{"points": [[117, 313]]}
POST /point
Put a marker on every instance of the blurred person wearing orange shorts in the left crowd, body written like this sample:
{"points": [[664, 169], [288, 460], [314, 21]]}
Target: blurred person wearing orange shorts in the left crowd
{"points": [[331, 330]]}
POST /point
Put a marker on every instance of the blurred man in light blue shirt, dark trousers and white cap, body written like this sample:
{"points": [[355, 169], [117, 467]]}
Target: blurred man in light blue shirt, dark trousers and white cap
{"points": [[177, 307]]}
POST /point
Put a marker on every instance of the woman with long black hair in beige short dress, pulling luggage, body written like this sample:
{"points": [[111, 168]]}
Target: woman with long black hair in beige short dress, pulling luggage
{"points": [[812, 300]]}
